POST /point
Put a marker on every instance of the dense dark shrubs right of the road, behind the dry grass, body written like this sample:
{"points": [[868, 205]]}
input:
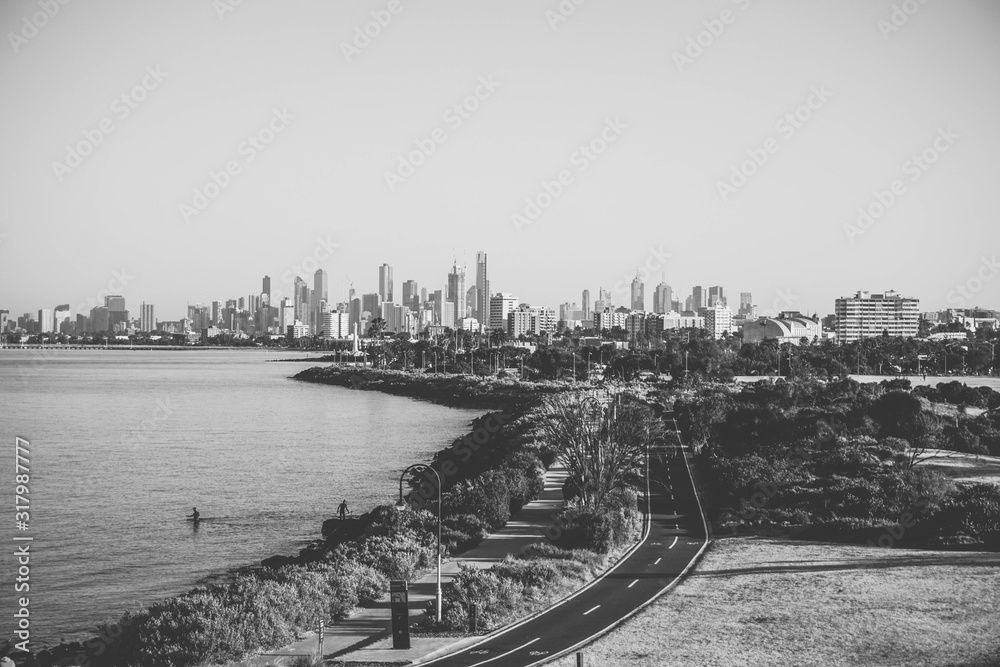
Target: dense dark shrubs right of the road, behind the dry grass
{"points": [[840, 461]]}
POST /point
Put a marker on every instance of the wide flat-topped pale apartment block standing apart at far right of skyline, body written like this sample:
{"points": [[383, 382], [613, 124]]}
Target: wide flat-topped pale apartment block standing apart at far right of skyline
{"points": [[868, 314]]}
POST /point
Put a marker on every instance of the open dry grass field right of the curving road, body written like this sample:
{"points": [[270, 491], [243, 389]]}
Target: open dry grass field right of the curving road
{"points": [[762, 601]]}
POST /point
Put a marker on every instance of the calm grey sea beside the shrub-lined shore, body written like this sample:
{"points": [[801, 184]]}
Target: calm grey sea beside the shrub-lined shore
{"points": [[123, 444]]}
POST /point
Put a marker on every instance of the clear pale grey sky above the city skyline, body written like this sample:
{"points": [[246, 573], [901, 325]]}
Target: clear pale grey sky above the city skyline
{"points": [[799, 150]]}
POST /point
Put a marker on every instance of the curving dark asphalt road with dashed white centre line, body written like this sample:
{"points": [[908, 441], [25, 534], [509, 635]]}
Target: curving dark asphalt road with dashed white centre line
{"points": [[676, 534]]}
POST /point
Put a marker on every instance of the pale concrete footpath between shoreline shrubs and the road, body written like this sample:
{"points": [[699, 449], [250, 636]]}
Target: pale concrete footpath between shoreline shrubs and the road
{"points": [[365, 636]]}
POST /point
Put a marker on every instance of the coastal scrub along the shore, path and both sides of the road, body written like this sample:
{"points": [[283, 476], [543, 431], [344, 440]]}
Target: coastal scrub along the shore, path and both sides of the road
{"points": [[826, 460]]}
